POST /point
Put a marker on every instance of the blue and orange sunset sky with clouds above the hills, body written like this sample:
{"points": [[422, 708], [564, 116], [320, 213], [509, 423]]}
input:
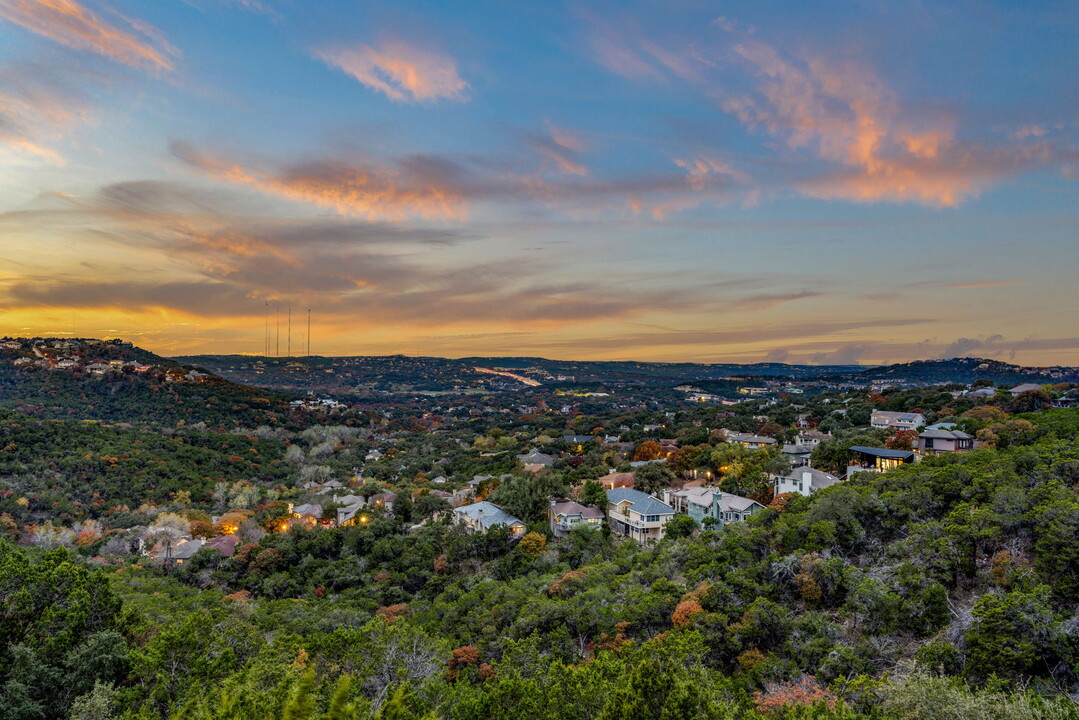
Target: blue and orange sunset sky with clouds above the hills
{"points": [[682, 181]]}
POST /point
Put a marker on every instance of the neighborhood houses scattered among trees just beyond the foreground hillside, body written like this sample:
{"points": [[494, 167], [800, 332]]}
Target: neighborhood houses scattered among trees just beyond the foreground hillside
{"points": [[629, 512]]}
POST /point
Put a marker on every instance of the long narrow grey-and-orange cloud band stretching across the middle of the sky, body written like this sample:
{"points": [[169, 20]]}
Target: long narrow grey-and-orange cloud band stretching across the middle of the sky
{"points": [[427, 186]]}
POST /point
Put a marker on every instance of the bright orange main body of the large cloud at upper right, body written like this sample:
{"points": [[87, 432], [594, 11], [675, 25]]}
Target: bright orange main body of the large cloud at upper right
{"points": [[848, 116]]}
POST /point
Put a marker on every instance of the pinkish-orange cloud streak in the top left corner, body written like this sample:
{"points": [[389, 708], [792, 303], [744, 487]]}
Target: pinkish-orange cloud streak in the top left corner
{"points": [[129, 42]]}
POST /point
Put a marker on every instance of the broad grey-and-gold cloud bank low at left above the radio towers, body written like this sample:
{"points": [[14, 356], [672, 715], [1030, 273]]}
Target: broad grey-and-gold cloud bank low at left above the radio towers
{"points": [[225, 264]]}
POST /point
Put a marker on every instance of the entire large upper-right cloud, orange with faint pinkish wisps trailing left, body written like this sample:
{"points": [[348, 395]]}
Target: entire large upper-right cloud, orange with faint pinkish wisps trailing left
{"points": [[848, 133]]}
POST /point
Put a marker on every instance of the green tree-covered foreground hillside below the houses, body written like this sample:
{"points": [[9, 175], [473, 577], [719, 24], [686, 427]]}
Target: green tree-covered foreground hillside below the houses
{"points": [[940, 590]]}
